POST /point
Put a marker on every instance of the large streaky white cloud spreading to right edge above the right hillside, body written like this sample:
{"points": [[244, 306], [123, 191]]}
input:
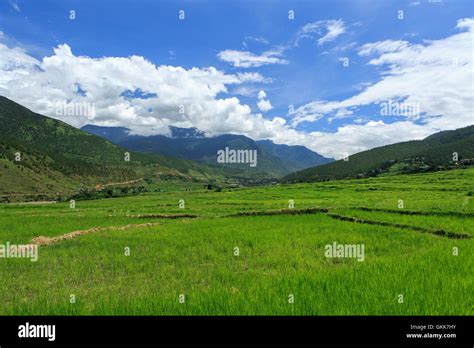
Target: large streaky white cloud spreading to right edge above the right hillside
{"points": [[437, 76]]}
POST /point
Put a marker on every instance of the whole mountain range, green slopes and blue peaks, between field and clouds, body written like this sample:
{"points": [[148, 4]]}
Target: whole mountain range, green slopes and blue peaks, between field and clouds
{"points": [[40, 155]]}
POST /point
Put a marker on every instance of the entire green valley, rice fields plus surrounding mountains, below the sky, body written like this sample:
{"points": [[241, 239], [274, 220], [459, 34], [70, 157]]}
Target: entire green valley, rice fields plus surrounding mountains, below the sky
{"points": [[133, 231]]}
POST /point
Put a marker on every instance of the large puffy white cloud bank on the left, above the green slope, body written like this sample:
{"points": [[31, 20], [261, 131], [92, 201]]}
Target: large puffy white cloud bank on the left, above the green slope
{"points": [[132, 92]]}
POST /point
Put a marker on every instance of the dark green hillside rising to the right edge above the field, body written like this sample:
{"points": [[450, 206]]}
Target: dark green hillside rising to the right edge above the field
{"points": [[432, 153]]}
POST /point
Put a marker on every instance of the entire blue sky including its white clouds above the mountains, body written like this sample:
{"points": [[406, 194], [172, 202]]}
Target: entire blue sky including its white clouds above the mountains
{"points": [[299, 63]]}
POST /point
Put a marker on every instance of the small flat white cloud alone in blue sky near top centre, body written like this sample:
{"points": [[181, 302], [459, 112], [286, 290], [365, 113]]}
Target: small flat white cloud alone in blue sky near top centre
{"points": [[245, 59]]}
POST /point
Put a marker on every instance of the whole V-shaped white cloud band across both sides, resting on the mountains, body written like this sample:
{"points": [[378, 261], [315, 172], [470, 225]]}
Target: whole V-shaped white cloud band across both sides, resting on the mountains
{"points": [[147, 98]]}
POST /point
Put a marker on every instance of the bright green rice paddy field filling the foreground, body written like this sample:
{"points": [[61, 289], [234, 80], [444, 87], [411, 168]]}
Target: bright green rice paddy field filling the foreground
{"points": [[248, 251]]}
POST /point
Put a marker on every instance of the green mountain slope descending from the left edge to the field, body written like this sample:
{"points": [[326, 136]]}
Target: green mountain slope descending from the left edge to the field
{"points": [[54, 156]]}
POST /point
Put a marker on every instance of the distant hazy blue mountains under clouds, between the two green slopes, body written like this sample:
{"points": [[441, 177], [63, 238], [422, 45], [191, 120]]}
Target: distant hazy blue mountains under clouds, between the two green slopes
{"points": [[190, 143]]}
